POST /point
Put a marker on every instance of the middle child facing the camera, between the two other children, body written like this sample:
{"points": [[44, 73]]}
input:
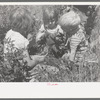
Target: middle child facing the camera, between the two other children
{"points": [[50, 32]]}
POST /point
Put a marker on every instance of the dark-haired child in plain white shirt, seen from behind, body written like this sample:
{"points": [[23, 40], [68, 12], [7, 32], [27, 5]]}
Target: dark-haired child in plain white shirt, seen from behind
{"points": [[22, 24]]}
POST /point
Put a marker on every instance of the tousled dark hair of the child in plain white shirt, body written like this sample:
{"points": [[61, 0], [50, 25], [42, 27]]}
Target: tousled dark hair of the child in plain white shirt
{"points": [[22, 21]]}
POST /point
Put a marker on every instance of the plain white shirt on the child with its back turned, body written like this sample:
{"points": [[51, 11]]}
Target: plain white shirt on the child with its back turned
{"points": [[14, 40]]}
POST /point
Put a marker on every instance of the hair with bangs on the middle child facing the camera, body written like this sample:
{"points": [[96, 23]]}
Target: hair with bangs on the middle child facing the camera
{"points": [[49, 13]]}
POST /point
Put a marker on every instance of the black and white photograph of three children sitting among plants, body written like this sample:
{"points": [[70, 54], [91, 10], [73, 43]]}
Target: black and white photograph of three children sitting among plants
{"points": [[50, 43]]}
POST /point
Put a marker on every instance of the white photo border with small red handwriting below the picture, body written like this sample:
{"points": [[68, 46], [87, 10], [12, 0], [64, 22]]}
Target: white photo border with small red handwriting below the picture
{"points": [[45, 90]]}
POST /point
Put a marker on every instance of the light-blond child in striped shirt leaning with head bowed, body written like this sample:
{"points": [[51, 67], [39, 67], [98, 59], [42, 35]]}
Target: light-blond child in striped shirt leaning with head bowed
{"points": [[70, 23]]}
